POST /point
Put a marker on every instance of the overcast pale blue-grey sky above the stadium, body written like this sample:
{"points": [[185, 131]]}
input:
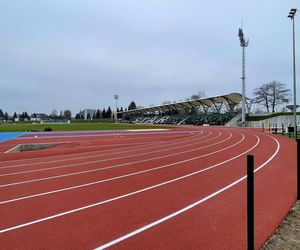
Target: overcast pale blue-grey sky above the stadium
{"points": [[76, 54]]}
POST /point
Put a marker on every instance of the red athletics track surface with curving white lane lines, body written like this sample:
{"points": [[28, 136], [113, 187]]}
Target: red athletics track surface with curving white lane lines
{"points": [[178, 189]]}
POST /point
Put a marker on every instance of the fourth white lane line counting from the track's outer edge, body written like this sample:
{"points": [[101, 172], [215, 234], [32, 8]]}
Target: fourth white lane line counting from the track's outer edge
{"points": [[109, 167]]}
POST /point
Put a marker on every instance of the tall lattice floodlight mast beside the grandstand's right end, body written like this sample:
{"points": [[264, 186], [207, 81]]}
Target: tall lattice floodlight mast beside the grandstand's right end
{"points": [[244, 43]]}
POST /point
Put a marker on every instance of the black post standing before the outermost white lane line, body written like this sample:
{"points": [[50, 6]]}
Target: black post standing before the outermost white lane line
{"points": [[250, 202]]}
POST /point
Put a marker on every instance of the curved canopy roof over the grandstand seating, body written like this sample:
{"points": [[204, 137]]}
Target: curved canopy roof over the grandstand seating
{"points": [[231, 100]]}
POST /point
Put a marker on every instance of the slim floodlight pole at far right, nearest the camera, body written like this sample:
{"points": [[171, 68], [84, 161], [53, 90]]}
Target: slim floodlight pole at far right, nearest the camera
{"points": [[292, 17]]}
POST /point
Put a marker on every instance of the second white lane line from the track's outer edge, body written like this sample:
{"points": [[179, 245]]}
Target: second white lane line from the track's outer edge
{"points": [[128, 194]]}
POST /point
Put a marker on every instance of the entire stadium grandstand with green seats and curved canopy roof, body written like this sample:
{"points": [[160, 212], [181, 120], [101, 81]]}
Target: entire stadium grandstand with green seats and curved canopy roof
{"points": [[218, 110]]}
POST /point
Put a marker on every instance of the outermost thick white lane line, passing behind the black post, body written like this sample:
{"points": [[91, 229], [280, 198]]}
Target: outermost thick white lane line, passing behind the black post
{"points": [[170, 216]]}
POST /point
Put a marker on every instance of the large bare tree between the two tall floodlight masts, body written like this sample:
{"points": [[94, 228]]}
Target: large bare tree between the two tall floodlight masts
{"points": [[272, 94]]}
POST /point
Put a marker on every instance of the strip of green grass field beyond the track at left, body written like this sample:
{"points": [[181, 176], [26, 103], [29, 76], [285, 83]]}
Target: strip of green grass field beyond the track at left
{"points": [[22, 127]]}
